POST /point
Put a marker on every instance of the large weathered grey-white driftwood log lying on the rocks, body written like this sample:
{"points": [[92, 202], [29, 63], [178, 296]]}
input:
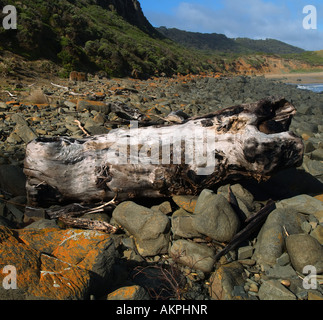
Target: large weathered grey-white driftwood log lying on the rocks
{"points": [[250, 140]]}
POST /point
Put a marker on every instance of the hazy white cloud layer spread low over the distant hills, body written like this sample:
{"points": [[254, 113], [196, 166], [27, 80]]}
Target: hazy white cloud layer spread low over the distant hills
{"points": [[255, 19]]}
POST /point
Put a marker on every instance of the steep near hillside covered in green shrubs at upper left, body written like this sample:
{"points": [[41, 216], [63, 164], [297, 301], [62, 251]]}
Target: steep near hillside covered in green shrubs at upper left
{"points": [[109, 35]]}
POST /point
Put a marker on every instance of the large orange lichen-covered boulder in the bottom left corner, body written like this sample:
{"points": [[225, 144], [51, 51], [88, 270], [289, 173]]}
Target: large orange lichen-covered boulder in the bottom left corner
{"points": [[58, 264]]}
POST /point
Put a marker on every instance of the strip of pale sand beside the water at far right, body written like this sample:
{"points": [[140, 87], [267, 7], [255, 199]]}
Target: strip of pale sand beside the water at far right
{"points": [[299, 78]]}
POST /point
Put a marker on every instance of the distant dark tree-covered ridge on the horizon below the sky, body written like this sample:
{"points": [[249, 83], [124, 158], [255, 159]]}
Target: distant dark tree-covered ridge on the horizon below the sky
{"points": [[221, 43]]}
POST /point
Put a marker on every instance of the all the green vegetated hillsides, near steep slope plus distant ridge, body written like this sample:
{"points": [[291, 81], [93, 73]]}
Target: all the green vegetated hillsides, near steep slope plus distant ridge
{"points": [[114, 37]]}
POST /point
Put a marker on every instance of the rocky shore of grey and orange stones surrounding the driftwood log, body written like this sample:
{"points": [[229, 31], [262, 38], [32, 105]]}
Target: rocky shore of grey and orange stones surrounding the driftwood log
{"points": [[166, 249]]}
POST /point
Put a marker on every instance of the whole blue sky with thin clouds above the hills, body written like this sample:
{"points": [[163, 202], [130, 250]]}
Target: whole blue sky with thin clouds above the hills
{"points": [[256, 19]]}
